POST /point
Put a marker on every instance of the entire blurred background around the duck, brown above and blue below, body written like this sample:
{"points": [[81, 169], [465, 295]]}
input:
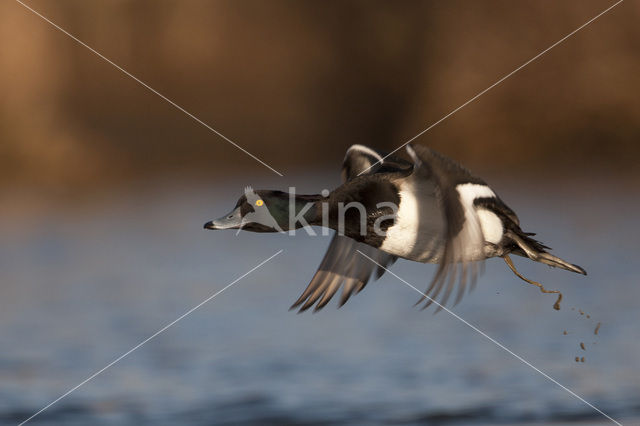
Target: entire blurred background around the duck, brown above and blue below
{"points": [[104, 188]]}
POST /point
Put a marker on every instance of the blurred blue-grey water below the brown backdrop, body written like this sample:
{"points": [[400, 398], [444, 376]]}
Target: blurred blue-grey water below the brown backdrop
{"points": [[83, 283]]}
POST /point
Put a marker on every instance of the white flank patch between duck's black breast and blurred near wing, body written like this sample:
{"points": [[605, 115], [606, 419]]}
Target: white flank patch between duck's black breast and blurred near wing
{"points": [[401, 238]]}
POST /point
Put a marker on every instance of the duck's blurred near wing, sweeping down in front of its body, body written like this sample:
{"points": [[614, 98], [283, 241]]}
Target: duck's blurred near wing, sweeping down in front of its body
{"points": [[464, 241]]}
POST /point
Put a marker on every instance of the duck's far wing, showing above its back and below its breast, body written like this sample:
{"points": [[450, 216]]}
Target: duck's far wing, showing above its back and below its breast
{"points": [[342, 266]]}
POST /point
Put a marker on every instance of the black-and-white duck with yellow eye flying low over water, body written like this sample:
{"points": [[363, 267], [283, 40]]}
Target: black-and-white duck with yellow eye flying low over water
{"points": [[427, 208]]}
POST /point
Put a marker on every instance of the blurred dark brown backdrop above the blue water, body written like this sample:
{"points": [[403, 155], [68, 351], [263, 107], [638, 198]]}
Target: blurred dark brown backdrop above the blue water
{"points": [[296, 83]]}
